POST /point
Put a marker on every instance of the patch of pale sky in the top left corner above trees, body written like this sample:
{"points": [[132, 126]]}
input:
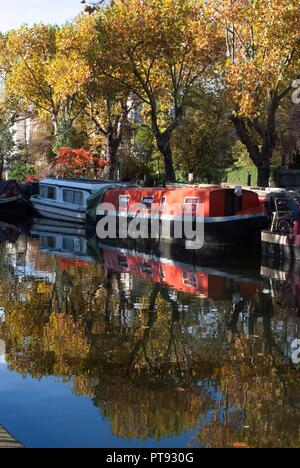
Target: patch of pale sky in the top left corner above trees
{"points": [[14, 14]]}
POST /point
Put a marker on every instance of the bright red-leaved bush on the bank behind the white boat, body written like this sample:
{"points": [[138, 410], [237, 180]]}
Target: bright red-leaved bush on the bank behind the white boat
{"points": [[77, 163]]}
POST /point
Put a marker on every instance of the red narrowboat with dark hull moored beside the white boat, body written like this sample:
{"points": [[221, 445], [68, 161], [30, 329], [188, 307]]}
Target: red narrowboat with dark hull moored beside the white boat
{"points": [[229, 217]]}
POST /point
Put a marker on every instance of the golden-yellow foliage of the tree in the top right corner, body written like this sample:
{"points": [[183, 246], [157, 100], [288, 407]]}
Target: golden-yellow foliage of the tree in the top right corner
{"points": [[262, 48]]}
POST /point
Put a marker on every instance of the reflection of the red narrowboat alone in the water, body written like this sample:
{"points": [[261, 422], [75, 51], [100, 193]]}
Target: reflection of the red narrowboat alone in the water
{"points": [[200, 280]]}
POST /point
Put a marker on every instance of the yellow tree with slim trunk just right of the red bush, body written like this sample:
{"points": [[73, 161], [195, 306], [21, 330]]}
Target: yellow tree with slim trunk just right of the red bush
{"points": [[105, 102]]}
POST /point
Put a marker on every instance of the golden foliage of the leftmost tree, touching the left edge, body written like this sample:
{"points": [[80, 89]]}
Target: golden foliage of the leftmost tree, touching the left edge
{"points": [[26, 59]]}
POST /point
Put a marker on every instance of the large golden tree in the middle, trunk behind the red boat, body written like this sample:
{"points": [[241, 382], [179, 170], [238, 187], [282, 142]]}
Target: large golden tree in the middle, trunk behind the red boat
{"points": [[158, 50]]}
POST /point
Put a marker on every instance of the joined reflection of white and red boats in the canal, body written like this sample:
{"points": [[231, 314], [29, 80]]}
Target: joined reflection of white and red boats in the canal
{"points": [[165, 267]]}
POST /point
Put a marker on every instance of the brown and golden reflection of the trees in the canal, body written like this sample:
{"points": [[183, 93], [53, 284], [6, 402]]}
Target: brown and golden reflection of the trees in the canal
{"points": [[154, 361]]}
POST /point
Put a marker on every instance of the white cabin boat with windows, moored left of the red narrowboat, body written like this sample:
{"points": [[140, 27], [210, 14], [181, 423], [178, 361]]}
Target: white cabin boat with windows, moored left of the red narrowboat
{"points": [[66, 199]]}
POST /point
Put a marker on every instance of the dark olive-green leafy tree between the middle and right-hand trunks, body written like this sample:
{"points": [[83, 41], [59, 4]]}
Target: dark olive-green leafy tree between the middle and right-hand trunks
{"points": [[203, 142]]}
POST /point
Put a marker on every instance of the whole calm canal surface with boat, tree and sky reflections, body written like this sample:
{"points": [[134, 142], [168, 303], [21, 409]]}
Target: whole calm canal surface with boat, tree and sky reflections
{"points": [[110, 346]]}
